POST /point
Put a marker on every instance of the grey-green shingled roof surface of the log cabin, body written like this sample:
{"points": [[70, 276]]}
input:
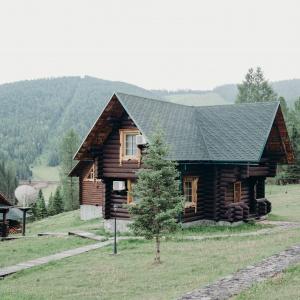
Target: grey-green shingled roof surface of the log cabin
{"points": [[224, 133]]}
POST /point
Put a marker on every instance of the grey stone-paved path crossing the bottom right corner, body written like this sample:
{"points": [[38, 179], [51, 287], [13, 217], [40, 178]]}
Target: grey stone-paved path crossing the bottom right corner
{"points": [[243, 279]]}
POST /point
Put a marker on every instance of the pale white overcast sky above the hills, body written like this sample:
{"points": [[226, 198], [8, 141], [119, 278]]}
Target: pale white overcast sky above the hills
{"points": [[154, 44]]}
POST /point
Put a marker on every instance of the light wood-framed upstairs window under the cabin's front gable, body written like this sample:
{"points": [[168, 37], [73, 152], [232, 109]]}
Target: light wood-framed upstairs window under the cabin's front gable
{"points": [[128, 149]]}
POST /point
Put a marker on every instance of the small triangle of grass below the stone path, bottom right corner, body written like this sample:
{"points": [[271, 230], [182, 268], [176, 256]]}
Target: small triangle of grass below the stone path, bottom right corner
{"points": [[283, 286]]}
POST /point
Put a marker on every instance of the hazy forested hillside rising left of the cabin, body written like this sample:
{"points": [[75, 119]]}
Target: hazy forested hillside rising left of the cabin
{"points": [[34, 114]]}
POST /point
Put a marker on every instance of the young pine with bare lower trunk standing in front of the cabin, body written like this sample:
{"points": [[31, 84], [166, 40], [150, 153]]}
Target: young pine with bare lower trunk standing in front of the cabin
{"points": [[157, 190]]}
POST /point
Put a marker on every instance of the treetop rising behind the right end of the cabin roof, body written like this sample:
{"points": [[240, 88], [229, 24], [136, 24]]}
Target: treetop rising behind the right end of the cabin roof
{"points": [[255, 88]]}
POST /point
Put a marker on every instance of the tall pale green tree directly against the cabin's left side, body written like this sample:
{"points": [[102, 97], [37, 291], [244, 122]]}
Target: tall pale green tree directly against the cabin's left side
{"points": [[70, 190]]}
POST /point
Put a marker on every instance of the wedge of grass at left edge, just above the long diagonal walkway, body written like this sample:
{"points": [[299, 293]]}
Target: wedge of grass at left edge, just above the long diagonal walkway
{"points": [[20, 250]]}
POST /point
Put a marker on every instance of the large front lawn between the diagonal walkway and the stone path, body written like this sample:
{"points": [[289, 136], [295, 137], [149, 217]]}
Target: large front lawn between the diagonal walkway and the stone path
{"points": [[131, 275]]}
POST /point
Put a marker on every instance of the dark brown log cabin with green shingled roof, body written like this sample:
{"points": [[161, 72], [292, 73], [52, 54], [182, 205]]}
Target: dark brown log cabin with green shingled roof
{"points": [[224, 155]]}
